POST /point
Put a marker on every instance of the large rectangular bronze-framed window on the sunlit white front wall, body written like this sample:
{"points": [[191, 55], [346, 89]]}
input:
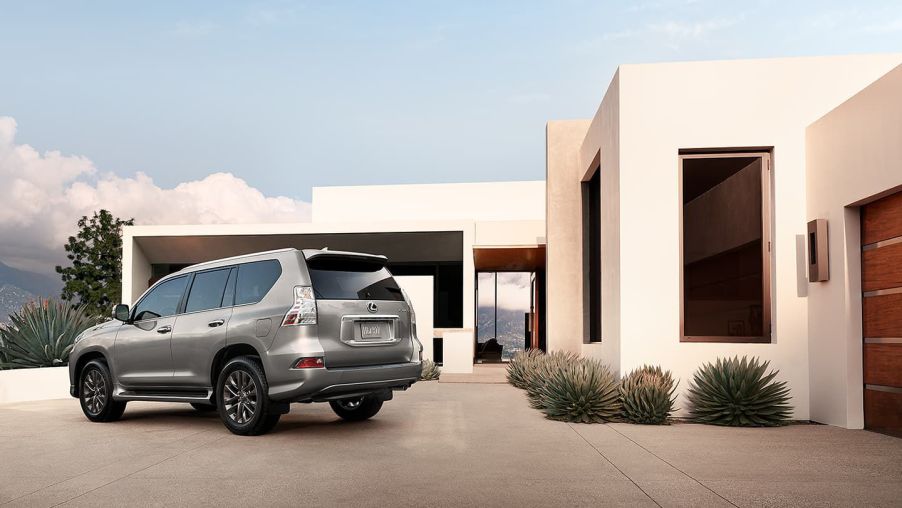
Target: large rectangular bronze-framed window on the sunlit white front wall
{"points": [[726, 247]]}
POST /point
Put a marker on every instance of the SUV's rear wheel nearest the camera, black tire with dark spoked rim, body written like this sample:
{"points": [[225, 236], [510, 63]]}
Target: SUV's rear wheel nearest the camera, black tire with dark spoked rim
{"points": [[242, 400]]}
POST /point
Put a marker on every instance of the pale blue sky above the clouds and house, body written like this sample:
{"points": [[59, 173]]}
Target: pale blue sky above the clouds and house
{"points": [[290, 95]]}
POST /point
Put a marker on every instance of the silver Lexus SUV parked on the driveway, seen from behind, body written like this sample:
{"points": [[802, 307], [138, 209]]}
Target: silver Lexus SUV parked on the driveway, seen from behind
{"points": [[248, 335]]}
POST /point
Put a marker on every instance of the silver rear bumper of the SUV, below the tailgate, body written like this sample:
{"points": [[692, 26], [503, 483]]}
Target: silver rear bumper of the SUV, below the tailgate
{"points": [[313, 385]]}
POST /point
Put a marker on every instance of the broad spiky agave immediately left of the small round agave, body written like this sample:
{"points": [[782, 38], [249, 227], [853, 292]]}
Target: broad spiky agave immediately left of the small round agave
{"points": [[584, 391]]}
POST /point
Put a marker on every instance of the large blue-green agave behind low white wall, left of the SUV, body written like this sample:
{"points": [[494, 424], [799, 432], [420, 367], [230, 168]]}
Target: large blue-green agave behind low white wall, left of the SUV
{"points": [[41, 334]]}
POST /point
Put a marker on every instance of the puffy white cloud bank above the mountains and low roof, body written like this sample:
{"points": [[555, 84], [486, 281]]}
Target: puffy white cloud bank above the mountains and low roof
{"points": [[44, 194]]}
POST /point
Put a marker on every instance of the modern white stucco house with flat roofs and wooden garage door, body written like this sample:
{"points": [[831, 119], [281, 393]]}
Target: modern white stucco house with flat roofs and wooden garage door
{"points": [[707, 209]]}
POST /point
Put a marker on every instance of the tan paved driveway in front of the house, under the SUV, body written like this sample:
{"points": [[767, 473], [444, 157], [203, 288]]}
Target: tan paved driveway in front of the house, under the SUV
{"points": [[438, 444]]}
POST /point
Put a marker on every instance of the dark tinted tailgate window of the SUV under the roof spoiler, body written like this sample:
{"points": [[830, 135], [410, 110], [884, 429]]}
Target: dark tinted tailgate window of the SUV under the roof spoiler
{"points": [[340, 279]]}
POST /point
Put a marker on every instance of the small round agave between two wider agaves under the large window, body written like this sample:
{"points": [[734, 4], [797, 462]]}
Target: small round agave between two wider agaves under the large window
{"points": [[647, 395]]}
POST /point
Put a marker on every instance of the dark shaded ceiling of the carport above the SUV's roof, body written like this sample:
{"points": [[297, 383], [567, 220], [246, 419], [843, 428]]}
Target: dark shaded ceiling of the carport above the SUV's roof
{"points": [[401, 247]]}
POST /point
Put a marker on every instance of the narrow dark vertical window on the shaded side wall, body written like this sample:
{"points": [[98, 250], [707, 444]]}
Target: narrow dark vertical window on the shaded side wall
{"points": [[591, 192]]}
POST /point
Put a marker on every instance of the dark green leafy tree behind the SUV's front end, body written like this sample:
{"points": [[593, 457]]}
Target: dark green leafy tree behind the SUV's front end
{"points": [[95, 278]]}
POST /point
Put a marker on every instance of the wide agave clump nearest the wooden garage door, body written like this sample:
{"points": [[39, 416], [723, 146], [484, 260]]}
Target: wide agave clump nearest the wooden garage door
{"points": [[738, 392]]}
